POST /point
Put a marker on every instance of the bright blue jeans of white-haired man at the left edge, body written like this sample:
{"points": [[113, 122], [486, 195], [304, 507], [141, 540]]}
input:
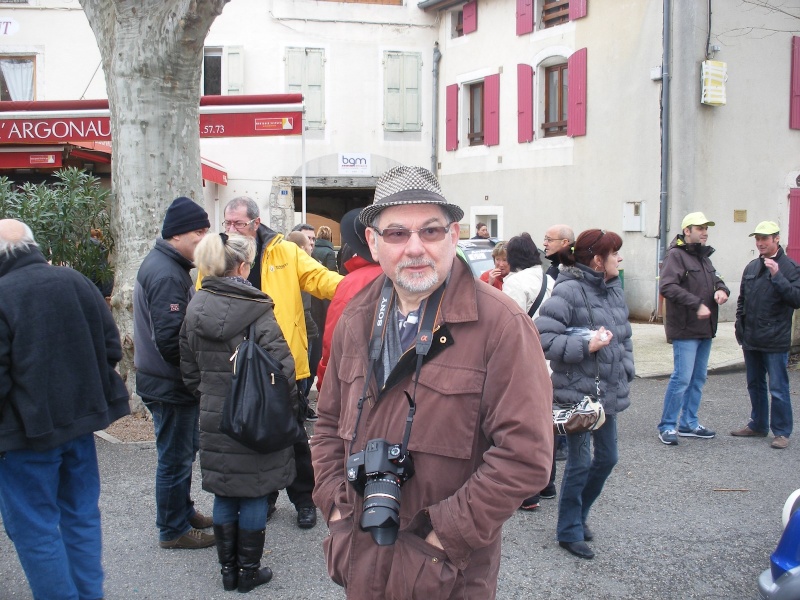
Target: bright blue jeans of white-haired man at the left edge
{"points": [[48, 501]]}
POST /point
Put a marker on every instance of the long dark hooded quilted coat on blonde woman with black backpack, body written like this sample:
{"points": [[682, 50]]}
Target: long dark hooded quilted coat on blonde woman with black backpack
{"points": [[216, 321]]}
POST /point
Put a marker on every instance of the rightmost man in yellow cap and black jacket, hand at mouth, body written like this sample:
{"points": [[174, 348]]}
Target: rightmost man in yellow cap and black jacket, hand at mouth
{"points": [[769, 293]]}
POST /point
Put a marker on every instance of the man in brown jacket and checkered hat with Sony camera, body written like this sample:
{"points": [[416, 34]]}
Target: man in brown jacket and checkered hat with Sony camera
{"points": [[418, 395]]}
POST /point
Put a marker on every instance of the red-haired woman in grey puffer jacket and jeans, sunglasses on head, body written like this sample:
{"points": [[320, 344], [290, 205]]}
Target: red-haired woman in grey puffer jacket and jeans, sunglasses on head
{"points": [[585, 332]]}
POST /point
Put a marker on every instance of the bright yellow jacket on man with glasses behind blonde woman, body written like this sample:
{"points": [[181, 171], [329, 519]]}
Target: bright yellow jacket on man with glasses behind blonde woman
{"points": [[286, 270]]}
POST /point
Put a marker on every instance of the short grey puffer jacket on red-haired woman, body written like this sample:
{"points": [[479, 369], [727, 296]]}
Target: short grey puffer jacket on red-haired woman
{"points": [[572, 364]]}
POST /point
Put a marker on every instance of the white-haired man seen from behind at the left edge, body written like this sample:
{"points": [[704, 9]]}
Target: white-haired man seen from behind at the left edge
{"points": [[58, 350]]}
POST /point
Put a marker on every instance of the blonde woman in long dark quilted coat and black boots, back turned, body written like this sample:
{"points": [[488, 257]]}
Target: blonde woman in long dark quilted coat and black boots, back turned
{"points": [[217, 319]]}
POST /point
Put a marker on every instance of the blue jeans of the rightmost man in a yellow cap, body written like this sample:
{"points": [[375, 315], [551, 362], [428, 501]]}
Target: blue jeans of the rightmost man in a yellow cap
{"points": [[759, 366]]}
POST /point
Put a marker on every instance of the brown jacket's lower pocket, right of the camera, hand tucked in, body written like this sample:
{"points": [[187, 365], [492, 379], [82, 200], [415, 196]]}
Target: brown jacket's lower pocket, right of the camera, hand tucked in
{"points": [[419, 571]]}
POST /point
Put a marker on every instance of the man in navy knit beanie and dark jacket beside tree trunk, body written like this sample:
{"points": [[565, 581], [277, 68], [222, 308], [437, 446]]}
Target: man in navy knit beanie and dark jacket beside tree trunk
{"points": [[161, 293]]}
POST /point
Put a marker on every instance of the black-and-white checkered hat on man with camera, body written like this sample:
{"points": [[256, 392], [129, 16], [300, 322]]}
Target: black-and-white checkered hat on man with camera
{"points": [[407, 185]]}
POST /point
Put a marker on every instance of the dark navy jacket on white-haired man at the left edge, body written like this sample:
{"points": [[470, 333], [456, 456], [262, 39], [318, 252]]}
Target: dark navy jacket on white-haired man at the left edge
{"points": [[59, 348]]}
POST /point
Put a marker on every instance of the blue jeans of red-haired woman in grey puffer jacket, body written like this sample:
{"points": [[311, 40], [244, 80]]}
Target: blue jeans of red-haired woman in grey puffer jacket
{"points": [[584, 477]]}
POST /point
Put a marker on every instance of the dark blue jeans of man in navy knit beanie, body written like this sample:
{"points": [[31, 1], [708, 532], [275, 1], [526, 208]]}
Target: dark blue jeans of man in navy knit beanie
{"points": [[177, 441]]}
